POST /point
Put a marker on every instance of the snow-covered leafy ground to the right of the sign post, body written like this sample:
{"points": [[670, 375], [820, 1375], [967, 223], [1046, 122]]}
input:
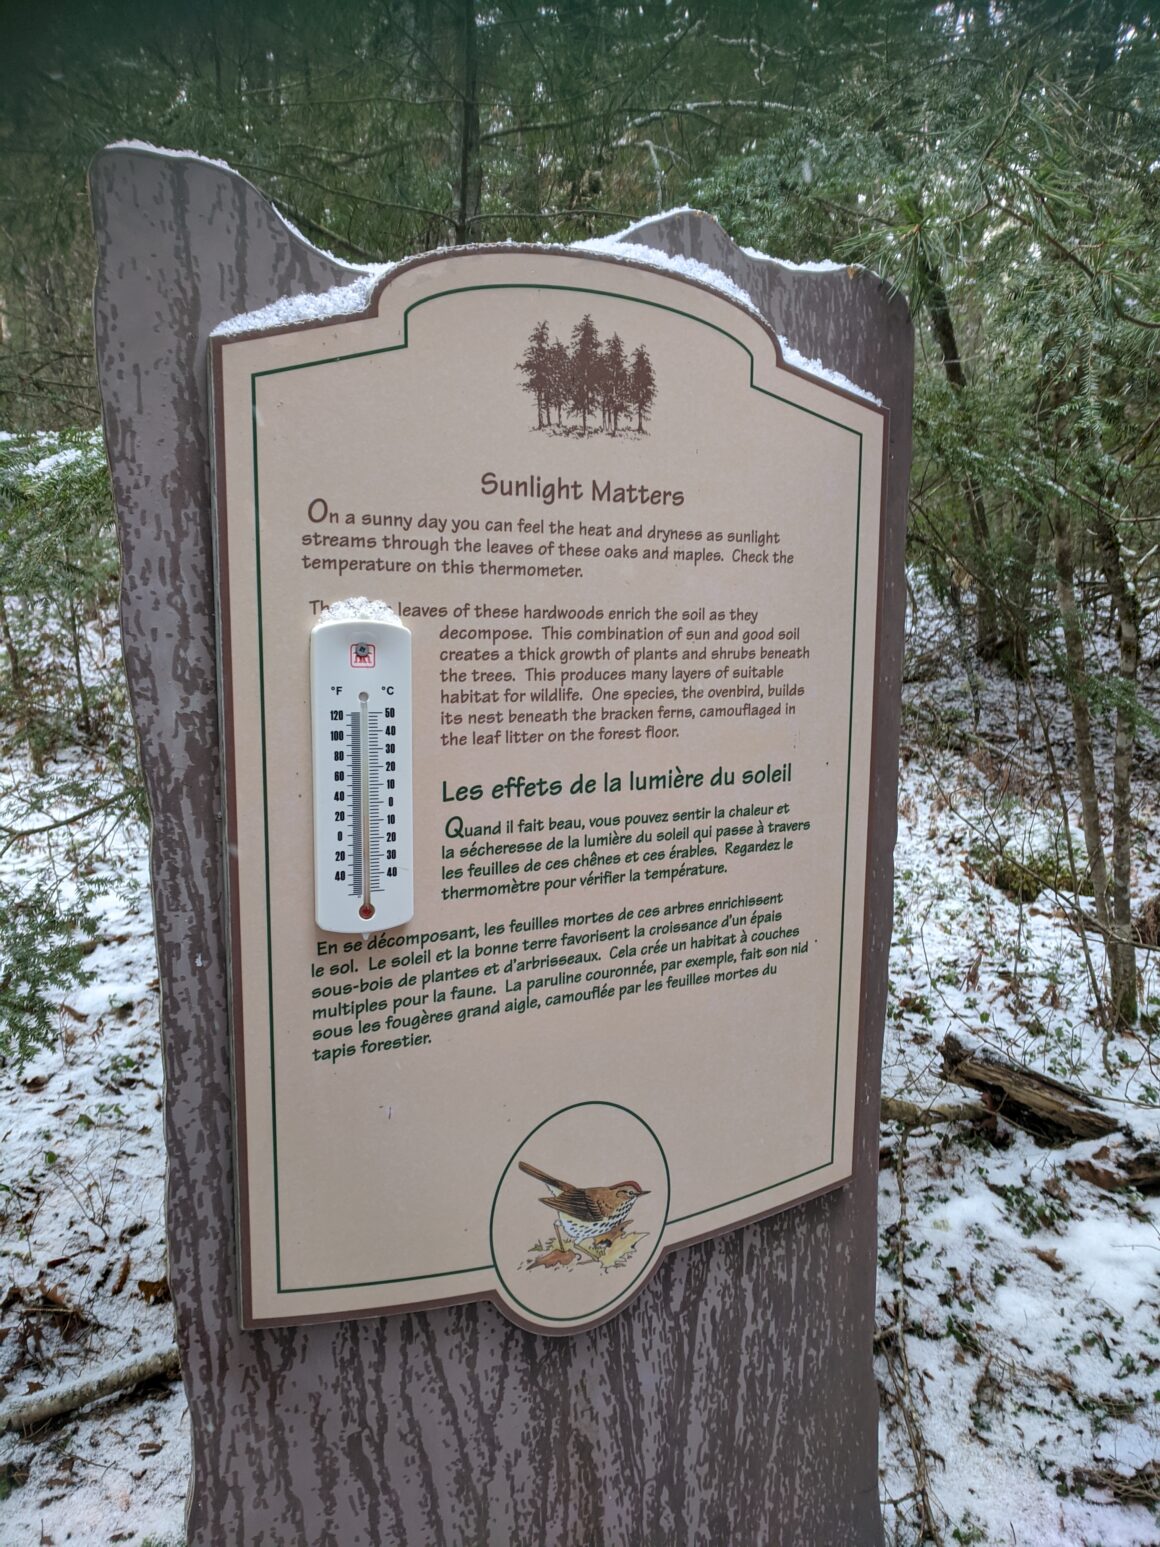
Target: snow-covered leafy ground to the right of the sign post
{"points": [[1018, 1305]]}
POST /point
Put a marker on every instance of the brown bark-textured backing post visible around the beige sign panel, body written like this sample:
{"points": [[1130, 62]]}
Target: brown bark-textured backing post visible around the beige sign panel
{"points": [[732, 1404]]}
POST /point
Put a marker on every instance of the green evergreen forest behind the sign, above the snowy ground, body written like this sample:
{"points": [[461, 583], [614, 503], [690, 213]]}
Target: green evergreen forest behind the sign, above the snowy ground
{"points": [[998, 165]]}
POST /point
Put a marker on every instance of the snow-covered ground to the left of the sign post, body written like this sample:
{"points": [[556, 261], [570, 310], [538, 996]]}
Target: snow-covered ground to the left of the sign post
{"points": [[83, 1246]]}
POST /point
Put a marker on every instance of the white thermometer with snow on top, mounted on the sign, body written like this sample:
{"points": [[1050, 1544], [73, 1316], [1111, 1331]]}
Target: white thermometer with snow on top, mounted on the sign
{"points": [[361, 717]]}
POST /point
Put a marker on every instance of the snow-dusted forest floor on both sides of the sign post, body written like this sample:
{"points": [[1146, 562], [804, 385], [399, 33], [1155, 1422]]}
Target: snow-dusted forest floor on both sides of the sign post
{"points": [[1018, 1340]]}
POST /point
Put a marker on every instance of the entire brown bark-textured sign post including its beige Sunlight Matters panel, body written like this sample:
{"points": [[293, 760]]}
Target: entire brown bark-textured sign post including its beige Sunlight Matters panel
{"points": [[558, 654]]}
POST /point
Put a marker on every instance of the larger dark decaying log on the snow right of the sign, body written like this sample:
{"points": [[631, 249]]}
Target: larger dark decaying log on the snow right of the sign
{"points": [[1035, 1102]]}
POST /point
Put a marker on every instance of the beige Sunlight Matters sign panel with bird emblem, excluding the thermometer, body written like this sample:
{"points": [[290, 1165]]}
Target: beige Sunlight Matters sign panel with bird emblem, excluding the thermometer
{"points": [[640, 562]]}
